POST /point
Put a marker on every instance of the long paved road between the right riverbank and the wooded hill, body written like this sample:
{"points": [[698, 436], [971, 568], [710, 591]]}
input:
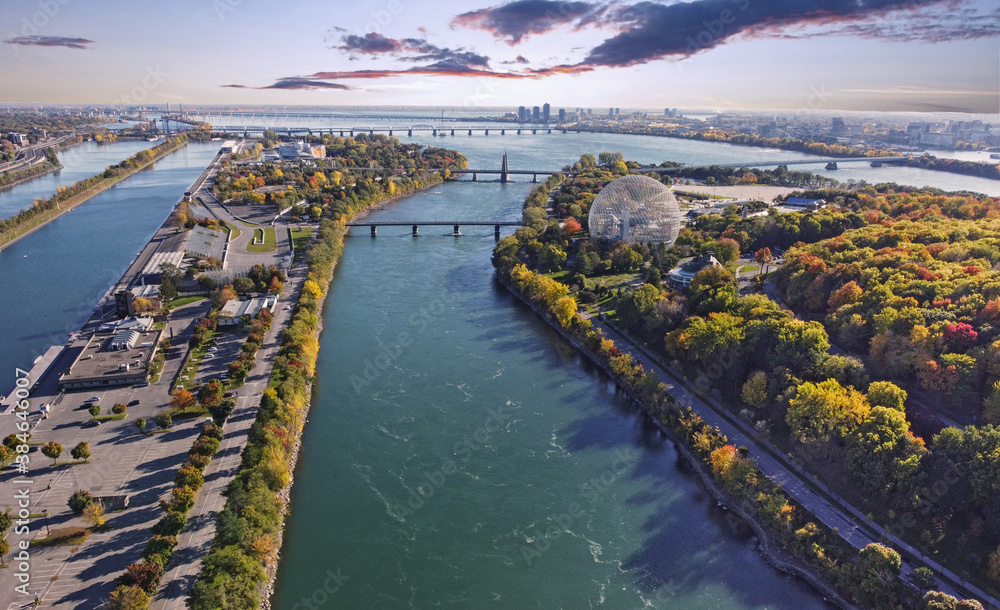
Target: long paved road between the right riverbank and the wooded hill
{"points": [[828, 507]]}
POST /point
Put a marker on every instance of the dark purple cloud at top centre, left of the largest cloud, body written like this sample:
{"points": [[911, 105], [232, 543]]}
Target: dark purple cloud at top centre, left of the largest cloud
{"points": [[515, 21]]}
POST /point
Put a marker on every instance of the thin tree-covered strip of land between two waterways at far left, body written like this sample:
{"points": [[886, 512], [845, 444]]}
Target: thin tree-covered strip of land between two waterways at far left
{"points": [[32, 221]]}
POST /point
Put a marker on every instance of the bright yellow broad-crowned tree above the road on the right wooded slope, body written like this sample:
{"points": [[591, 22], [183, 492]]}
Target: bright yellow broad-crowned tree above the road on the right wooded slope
{"points": [[820, 411]]}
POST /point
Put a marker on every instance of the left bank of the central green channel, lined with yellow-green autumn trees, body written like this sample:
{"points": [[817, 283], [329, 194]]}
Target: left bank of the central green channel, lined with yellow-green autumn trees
{"points": [[263, 485]]}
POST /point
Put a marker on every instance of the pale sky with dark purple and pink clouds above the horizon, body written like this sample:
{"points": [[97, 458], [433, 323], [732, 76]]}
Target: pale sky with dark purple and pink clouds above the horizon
{"points": [[863, 55]]}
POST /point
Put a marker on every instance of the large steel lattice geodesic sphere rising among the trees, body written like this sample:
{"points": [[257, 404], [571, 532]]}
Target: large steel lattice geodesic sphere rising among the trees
{"points": [[635, 209]]}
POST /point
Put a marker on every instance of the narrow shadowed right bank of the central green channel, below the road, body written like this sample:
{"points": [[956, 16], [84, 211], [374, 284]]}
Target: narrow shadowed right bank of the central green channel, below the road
{"points": [[771, 552]]}
